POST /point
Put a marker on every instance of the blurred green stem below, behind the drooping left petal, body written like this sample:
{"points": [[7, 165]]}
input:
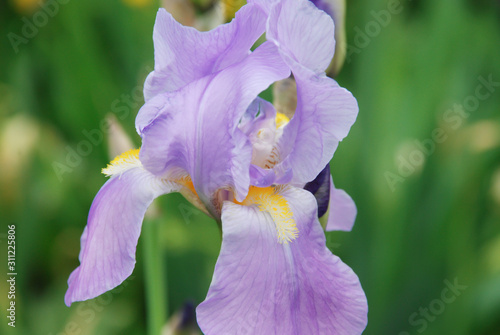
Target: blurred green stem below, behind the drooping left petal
{"points": [[154, 276]]}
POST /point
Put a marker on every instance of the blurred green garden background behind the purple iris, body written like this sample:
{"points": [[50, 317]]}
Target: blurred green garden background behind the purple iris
{"points": [[427, 218]]}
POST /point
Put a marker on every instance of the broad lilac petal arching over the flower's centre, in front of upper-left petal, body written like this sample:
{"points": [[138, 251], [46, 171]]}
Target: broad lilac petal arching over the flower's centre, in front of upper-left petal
{"points": [[196, 128]]}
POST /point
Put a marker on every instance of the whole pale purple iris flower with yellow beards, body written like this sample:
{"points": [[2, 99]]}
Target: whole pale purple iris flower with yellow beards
{"points": [[207, 134]]}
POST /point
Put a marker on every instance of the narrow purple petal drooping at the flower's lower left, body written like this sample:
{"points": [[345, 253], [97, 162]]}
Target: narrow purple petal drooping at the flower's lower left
{"points": [[108, 243]]}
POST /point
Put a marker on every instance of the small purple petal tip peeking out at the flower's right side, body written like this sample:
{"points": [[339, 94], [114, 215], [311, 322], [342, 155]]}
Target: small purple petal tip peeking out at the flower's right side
{"points": [[342, 210]]}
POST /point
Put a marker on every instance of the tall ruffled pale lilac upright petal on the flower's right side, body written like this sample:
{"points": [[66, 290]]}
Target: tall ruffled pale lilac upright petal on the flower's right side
{"points": [[325, 111]]}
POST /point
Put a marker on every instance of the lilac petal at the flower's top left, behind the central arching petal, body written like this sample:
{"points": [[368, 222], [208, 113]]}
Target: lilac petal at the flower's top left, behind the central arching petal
{"points": [[184, 54]]}
